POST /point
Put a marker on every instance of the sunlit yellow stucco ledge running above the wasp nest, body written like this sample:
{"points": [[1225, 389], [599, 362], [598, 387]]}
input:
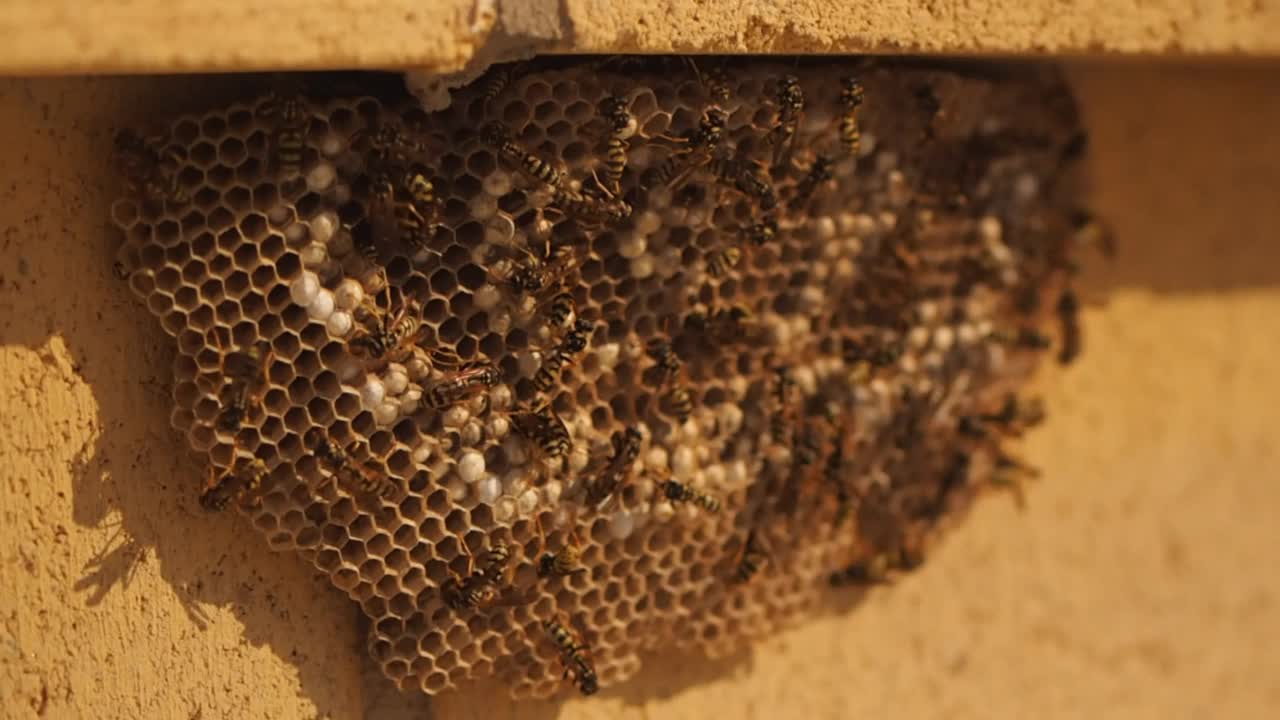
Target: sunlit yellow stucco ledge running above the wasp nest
{"points": [[196, 35]]}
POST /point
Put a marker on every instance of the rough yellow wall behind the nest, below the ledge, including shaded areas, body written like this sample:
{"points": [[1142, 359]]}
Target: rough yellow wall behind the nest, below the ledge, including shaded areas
{"points": [[1130, 589]]}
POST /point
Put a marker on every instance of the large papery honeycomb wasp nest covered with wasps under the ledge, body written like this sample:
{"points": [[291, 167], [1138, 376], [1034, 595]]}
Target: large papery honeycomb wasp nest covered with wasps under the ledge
{"points": [[609, 357]]}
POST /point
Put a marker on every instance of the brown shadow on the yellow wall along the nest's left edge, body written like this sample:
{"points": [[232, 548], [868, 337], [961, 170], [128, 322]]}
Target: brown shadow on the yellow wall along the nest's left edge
{"points": [[57, 285]]}
